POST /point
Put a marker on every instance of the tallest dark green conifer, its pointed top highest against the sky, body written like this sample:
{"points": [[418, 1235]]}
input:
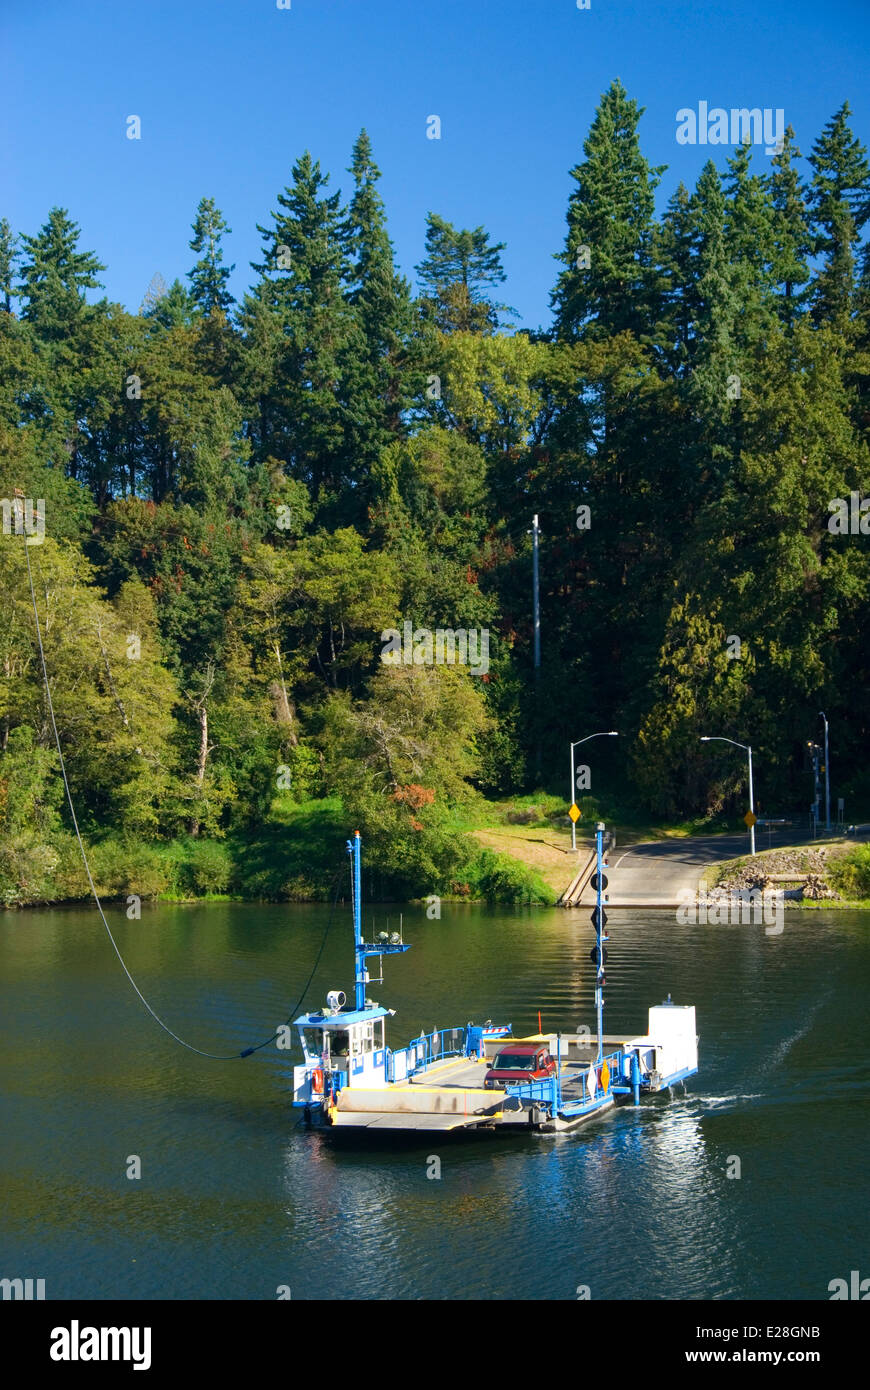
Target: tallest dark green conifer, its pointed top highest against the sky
{"points": [[608, 443]]}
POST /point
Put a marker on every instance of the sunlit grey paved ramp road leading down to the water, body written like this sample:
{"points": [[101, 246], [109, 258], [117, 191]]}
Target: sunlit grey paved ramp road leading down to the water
{"points": [[654, 875]]}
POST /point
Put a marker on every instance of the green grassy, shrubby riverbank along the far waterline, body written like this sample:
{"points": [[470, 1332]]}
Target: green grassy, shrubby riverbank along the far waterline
{"points": [[489, 851]]}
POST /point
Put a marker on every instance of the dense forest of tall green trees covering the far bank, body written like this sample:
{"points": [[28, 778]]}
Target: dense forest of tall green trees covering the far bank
{"points": [[241, 500]]}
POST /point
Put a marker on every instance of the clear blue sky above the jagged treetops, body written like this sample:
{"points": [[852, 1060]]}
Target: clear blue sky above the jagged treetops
{"points": [[231, 92]]}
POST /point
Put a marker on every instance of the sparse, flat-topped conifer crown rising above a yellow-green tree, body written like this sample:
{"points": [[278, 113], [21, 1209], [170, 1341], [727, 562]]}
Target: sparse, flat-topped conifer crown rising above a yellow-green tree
{"points": [[458, 270]]}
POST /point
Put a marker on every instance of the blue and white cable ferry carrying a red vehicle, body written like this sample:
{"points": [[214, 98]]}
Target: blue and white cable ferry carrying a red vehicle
{"points": [[351, 1079]]}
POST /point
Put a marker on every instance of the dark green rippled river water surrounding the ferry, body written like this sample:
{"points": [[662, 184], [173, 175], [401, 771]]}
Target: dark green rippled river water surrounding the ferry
{"points": [[237, 1200]]}
